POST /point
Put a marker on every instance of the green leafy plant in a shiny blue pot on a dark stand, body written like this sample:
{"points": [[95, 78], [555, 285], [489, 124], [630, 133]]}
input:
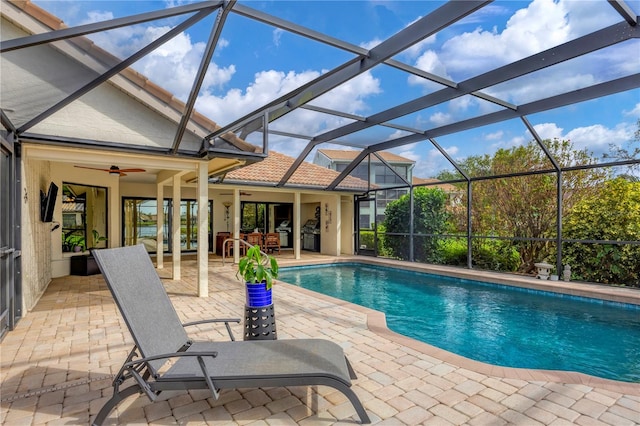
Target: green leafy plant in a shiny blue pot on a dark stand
{"points": [[258, 270]]}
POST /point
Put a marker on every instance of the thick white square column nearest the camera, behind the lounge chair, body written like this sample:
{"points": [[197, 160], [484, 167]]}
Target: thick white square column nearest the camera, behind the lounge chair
{"points": [[203, 237]]}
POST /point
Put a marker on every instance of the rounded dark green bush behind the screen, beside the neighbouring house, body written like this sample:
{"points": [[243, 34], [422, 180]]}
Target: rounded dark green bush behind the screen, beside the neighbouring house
{"points": [[429, 218]]}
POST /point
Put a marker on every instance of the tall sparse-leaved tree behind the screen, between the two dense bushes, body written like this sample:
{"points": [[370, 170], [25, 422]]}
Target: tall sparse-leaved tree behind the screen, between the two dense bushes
{"points": [[526, 206]]}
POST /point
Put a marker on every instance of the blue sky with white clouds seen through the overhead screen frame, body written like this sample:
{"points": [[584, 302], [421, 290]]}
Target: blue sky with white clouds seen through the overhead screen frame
{"points": [[255, 63]]}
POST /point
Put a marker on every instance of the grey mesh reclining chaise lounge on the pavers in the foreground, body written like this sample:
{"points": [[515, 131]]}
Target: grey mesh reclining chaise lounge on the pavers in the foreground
{"points": [[164, 358]]}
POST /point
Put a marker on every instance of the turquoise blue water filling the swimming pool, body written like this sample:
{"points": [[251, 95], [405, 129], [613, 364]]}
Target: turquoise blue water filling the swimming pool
{"points": [[496, 324]]}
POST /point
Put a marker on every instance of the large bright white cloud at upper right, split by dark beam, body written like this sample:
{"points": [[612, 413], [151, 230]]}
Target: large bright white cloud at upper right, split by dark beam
{"points": [[538, 26]]}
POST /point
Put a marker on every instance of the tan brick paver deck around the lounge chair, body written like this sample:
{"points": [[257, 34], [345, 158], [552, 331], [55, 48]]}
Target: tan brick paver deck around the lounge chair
{"points": [[57, 366]]}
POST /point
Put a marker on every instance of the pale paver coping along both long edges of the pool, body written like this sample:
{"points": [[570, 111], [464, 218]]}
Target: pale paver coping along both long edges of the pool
{"points": [[377, 323]]}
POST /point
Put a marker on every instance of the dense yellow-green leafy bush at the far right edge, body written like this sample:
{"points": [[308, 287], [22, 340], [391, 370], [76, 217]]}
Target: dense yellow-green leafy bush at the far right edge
{"points": [[611, 214]]}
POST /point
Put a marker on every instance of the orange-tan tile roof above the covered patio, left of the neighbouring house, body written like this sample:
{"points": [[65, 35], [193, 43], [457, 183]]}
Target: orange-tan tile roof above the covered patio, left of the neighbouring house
{"points": [[273, 168]]}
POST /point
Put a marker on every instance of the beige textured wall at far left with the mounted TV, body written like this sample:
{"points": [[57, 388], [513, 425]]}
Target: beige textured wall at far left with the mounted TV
{"points": [[36, 235]]}
